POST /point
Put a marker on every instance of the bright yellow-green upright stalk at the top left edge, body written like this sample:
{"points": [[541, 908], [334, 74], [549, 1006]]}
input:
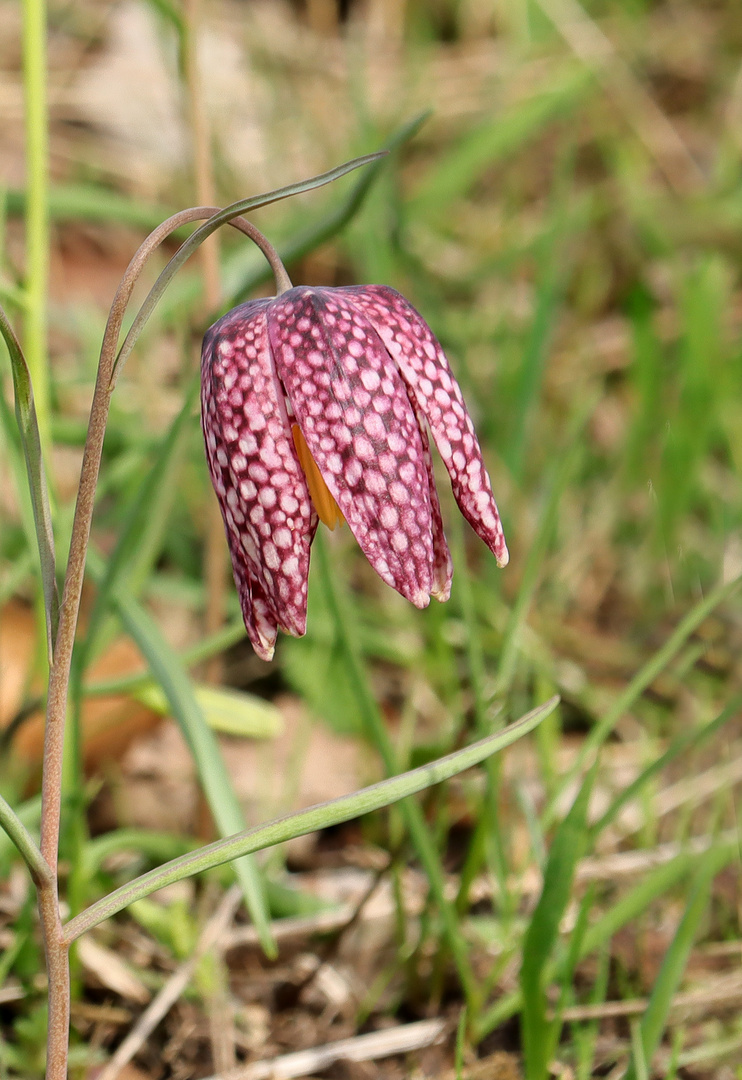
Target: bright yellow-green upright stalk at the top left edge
{"points": [[37, 207]]}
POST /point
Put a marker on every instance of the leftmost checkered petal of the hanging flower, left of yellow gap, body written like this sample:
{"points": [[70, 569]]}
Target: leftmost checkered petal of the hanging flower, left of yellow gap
{"points": [[263, 493]]}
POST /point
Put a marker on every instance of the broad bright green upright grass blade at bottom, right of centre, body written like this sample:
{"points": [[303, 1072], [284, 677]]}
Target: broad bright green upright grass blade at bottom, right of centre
{"points": [[544, 929]]}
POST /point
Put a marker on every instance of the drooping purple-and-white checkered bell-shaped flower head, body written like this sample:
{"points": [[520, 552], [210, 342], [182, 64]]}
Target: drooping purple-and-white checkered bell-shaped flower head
{"points": [[315, 407]]}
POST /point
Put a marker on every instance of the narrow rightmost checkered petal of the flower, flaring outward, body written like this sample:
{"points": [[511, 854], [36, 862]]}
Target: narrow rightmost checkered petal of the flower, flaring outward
{"points": [[438, 396]]}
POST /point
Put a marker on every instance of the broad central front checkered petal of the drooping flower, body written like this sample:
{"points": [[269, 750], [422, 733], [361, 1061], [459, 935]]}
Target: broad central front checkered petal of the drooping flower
{"points": [[356, 415]]}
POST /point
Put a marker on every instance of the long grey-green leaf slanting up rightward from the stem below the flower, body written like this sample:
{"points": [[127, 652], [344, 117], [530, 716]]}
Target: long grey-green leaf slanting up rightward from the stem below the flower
{"points": [[322, 816]]}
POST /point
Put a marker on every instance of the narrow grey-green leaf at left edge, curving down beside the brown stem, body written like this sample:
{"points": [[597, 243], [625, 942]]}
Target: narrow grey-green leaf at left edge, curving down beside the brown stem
{"points": [[25, 412]]}
